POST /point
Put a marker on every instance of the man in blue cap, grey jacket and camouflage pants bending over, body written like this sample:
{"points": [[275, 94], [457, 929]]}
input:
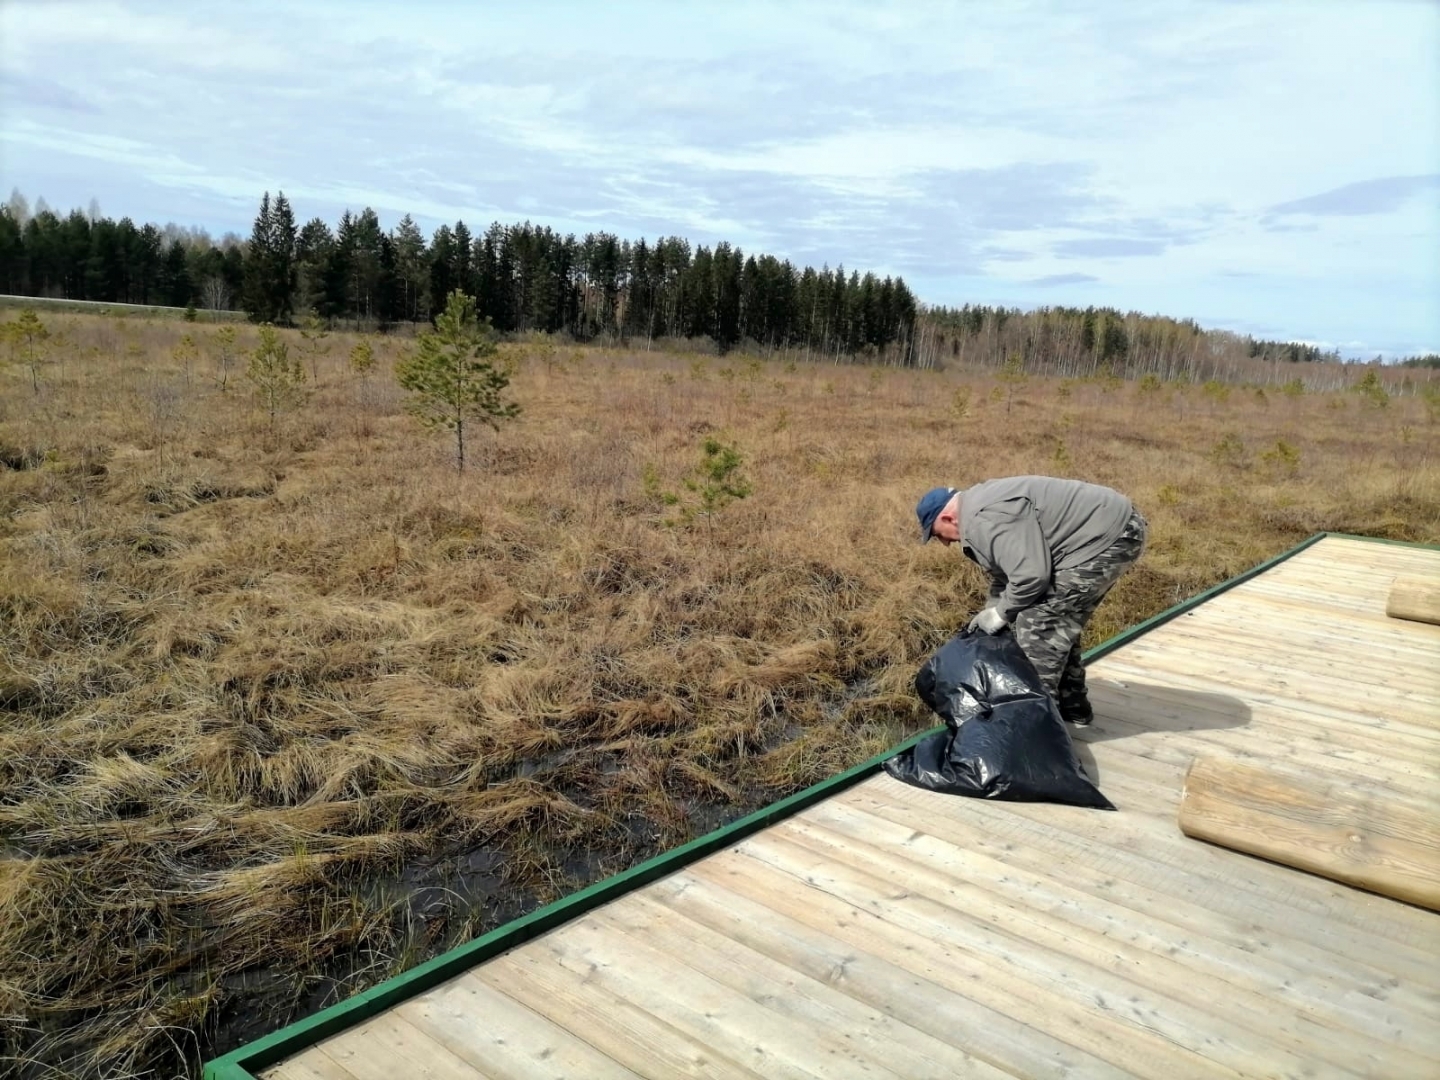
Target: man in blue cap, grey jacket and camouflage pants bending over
{"points": [[1053, 549]]}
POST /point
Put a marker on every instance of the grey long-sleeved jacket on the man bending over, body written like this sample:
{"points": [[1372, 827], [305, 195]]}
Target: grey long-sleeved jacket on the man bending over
{"points": [[1023, 529]]}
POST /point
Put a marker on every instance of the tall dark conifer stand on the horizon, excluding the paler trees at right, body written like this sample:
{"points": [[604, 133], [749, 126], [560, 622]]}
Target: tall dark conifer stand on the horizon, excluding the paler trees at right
{"points": [[523, 279]]}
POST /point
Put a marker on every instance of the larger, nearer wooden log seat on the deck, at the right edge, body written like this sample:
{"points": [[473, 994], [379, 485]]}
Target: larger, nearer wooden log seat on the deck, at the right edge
{"points": [[1347, 833]]}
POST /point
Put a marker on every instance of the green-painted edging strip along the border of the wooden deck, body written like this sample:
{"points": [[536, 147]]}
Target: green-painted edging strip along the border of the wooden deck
{"points": [[277, 1046]]}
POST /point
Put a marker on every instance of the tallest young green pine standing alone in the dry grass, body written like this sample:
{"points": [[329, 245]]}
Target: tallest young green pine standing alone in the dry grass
{"points": [[453, 375]]}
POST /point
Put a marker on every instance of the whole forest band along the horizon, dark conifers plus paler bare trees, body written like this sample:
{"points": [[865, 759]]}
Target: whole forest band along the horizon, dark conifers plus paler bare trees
{"points": [[594, 289]]}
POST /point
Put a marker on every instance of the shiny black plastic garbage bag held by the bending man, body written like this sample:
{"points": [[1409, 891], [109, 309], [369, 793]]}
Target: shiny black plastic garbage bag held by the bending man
{"points": [[1003, 737]]}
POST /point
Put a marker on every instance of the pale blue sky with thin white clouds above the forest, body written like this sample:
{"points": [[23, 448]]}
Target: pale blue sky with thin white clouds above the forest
{"points": [[1271, 169]]}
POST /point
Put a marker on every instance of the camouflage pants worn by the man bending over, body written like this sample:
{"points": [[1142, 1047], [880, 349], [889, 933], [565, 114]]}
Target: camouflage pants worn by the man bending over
{"points": [[1050, 630]]}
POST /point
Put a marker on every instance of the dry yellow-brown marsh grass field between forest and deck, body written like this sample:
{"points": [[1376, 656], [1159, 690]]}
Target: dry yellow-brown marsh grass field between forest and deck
{"points": [[280, 718]]}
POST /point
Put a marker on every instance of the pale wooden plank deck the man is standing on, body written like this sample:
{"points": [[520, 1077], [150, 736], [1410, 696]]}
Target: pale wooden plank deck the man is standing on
{"points": [[889, 932]]}
